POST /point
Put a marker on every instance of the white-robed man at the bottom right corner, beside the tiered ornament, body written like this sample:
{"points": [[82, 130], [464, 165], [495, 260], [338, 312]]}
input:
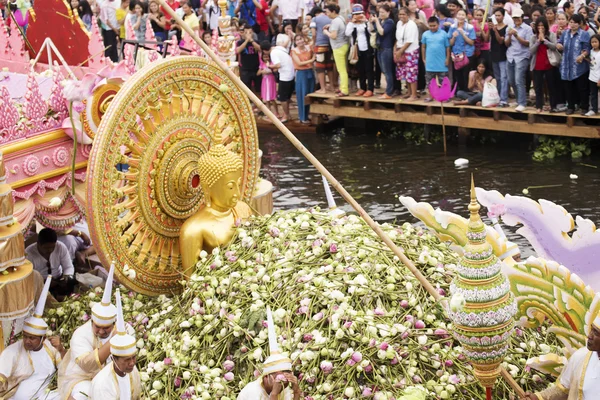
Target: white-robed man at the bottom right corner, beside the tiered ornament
{"points": [[580, 378]]}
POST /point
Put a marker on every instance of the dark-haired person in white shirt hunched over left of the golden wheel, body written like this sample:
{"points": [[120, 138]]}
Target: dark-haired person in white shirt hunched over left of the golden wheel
{"points": [[51, 258]]}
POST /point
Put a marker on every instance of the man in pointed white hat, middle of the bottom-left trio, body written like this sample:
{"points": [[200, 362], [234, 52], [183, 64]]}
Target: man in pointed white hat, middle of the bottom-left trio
{"points": [[90, 348]]}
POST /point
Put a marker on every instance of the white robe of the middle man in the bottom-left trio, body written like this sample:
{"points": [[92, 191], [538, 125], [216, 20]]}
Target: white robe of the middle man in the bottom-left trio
{"points": [[81, 363]]}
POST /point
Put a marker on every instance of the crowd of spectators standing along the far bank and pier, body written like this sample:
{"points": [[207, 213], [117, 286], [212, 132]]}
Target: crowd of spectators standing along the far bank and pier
{"points": [[540, 54]]}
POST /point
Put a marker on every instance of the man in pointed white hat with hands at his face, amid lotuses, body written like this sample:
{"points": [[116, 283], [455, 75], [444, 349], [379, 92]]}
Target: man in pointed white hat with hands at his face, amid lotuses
{"points": [[277, 381]]}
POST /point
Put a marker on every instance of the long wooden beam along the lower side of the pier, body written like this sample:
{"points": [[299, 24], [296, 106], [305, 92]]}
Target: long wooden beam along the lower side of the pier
{"points": [[554, 129]]}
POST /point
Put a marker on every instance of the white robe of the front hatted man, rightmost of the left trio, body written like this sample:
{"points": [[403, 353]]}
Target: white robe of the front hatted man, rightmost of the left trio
{"points": [[107, 385]]}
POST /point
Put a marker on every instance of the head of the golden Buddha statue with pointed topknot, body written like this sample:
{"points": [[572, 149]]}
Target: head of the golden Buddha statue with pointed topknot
{"points": [[220, 172]]}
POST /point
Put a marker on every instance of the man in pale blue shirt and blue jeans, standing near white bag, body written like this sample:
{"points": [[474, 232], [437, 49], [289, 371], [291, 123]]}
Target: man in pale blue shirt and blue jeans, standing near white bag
{"points": [[517, 57]]}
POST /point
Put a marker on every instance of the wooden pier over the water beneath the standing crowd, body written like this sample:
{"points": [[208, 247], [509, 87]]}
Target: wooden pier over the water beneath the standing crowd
{"points": [[464, 117]]}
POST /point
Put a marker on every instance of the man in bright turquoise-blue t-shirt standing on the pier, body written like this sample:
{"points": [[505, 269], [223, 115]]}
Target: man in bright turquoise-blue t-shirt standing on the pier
{"points": [[435, 51]]}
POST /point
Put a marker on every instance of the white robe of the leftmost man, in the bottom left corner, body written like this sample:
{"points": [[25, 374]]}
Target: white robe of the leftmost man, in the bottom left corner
{"points": [[25, 375]]}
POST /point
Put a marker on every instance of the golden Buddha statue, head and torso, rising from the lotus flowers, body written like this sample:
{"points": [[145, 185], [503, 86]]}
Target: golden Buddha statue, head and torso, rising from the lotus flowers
{"points": [[220, 172]]}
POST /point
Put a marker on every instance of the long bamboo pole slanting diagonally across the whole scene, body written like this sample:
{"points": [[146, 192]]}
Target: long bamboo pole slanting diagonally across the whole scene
{"points": [[317, 164]]}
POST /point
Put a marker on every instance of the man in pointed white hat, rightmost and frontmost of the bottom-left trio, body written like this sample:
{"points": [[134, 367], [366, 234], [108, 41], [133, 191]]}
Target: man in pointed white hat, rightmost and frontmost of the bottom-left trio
{"points": [[119, 379]]}
